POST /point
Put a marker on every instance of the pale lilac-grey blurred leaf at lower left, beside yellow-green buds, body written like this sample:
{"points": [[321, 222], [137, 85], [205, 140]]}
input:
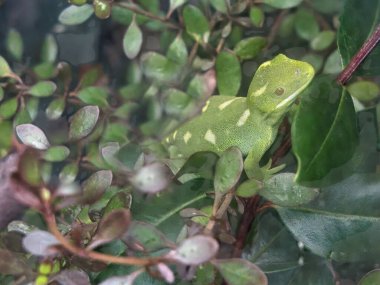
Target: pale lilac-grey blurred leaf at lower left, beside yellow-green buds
{"points": [[39, 243]]}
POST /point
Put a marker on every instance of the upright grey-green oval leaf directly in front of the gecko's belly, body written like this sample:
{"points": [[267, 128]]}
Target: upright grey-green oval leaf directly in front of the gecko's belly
{"points": [[228, 170]]}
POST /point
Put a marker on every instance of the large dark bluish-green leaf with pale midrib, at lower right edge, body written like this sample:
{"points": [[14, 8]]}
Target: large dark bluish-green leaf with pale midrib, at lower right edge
{"points": [[346, 213]]}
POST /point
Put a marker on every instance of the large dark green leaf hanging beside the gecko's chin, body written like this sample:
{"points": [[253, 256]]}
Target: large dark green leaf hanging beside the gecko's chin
{"points": [[324, 131]]}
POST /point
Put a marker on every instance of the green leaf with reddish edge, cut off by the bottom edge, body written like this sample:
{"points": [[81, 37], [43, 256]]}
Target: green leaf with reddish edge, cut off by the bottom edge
{"points": [[238, 271]]}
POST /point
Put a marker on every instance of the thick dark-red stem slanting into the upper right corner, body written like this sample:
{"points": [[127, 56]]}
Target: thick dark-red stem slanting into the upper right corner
{"points": [[366, 48]]}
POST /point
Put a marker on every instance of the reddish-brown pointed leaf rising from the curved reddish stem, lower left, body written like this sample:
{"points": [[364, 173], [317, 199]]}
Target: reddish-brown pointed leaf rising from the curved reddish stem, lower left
{"points": [[112, 226]]}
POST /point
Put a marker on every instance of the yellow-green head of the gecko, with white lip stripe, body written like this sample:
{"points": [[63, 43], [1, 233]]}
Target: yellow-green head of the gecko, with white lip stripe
{"points": [[277, 83]]}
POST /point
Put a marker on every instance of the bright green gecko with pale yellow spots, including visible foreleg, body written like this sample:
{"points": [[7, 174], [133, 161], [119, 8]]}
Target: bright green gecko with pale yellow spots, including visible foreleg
{"points": [[249, 123]]}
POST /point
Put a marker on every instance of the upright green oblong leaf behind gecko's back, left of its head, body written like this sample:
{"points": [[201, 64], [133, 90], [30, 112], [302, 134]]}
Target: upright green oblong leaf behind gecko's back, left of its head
{"points": [[228, 73]]}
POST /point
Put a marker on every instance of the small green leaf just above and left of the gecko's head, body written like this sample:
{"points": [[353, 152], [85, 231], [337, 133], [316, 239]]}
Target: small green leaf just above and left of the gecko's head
{"points": [[249, 48]]}
